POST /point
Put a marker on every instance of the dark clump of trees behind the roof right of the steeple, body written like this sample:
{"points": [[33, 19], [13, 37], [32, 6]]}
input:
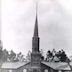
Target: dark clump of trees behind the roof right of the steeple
{"points": [[59, 56]]}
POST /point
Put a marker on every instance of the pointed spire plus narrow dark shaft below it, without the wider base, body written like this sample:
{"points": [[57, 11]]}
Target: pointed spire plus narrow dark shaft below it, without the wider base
{"points": [[35, 40]]}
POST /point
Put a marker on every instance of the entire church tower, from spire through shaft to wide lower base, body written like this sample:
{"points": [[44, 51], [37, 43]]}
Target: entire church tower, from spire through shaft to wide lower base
{"points": [[35, 55]]}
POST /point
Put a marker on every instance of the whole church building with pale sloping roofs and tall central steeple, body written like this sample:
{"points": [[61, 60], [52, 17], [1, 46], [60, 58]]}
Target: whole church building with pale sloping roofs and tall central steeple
{"points": [[36, 64]]}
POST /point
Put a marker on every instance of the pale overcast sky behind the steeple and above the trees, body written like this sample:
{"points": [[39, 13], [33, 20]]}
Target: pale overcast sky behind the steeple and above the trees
{"points": [[54, 21]]}
